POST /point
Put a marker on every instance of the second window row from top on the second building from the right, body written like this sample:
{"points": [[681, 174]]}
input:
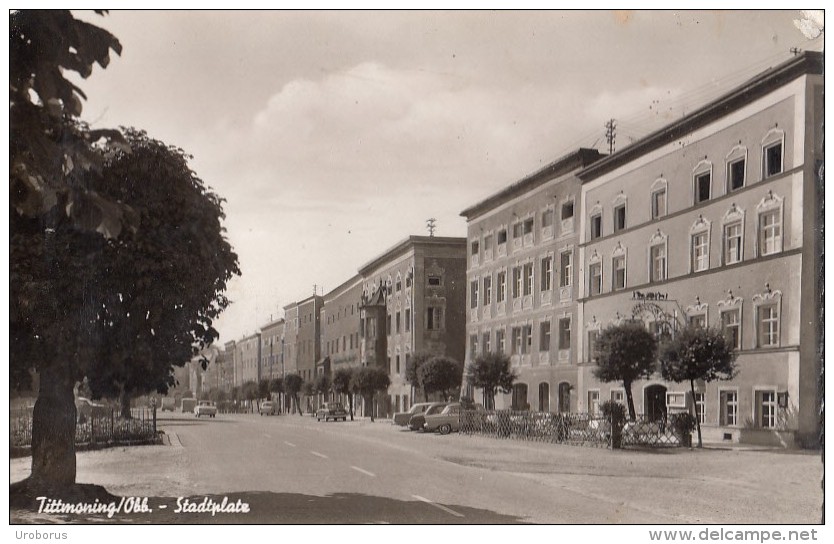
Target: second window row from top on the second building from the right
{"points": [[522, 280]]}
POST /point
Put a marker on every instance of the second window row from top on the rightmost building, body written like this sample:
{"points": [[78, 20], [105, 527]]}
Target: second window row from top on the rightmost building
{"points": [[769, 241]]}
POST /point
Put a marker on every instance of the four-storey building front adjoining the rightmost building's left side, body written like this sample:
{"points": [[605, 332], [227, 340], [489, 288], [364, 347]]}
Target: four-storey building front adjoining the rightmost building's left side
{"points": [[522, 283]]}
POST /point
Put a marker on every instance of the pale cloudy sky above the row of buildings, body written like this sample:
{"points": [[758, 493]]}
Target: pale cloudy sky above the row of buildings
{"points": [[333, 135]]}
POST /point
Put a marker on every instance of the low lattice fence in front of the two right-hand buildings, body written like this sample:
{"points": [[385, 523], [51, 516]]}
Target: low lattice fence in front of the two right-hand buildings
{"points": [[573, 429]]}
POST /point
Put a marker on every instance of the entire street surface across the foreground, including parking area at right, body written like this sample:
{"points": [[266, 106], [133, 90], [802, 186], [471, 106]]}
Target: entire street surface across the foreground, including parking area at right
{"points": [[293, 469]]}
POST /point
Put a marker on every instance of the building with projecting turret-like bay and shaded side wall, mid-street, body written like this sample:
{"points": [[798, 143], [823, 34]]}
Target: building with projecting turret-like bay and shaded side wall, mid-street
{"points": [[413, 298]]}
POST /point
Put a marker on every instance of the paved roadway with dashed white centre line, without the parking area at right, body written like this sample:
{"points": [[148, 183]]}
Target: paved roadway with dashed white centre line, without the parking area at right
{"points": [[298, 470]]}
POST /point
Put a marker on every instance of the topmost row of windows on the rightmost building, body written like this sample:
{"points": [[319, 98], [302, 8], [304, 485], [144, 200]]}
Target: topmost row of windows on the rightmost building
{"points": [[703, 187]]}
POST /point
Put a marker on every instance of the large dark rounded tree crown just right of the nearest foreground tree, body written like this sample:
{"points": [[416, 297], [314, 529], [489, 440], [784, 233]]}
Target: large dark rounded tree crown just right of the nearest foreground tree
{"points": [[148, 271]]}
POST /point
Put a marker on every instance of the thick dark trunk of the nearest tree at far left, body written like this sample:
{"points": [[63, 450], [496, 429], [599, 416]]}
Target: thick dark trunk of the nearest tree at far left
{"points": [[53, 430]]}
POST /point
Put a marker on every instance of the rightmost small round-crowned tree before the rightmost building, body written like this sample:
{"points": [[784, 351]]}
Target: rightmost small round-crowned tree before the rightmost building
{"points": [[697, 353]]}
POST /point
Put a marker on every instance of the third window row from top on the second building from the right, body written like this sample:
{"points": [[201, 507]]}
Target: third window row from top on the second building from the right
{"points": [[521, 339]]}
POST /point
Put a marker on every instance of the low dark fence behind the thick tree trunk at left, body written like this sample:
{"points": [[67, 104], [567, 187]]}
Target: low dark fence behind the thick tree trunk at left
{"points": [[106, 426]]}
